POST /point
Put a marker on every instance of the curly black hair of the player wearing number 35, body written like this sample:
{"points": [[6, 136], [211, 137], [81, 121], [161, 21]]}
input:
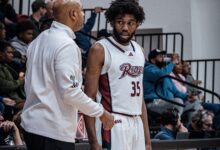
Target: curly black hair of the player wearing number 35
{"points": [[122, 7]]}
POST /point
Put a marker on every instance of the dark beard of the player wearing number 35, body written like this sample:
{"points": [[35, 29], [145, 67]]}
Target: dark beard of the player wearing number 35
{"points": [[121, 40]]}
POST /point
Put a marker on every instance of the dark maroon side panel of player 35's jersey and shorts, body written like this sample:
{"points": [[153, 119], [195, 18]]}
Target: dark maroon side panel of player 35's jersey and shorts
{"points": [[106, 101]]}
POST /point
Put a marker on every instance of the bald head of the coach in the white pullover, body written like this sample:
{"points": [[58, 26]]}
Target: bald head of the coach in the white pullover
{"points": [[69, 12]]}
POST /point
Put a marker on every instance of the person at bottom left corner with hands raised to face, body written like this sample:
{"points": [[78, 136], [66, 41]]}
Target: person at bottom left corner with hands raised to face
{"points": [[9, 133]]}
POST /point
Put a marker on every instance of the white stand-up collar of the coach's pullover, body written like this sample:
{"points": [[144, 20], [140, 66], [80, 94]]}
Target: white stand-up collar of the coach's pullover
{"points": [[63, 27]]}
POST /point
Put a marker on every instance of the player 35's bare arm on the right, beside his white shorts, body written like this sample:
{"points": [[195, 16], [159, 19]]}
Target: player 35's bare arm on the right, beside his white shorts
{"points": [[144, 118]]}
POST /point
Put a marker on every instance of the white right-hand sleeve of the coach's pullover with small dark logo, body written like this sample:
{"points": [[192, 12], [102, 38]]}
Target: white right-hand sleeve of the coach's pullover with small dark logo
{"points": [[68, 77]]}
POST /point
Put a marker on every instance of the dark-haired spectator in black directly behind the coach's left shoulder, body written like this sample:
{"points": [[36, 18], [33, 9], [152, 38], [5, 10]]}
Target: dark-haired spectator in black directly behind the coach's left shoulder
{"points": [[39, 10]]}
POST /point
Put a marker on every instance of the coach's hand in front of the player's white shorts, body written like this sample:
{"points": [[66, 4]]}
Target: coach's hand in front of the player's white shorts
{"points": [[107, 120]]}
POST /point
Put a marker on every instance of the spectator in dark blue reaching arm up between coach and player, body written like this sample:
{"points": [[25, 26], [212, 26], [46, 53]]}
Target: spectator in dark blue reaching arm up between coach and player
{"points": [[82, 40]]}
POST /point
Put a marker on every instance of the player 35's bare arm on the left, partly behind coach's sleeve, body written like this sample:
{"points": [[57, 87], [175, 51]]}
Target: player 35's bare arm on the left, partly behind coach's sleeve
{"points": [[94, 64]]}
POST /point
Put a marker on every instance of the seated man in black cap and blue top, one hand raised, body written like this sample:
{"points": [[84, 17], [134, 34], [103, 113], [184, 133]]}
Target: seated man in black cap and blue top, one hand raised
{"points": [[152, 72]]}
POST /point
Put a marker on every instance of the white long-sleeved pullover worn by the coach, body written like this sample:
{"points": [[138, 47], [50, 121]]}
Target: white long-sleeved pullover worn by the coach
{"points": [[53, 86]]}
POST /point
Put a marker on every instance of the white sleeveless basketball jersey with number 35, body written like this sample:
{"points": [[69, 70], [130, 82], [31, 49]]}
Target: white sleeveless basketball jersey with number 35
{"points": [[121, 78]]}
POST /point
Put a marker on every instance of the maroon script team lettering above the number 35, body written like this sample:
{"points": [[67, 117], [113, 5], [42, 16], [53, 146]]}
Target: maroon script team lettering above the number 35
{"points": [[132, 71]]}
